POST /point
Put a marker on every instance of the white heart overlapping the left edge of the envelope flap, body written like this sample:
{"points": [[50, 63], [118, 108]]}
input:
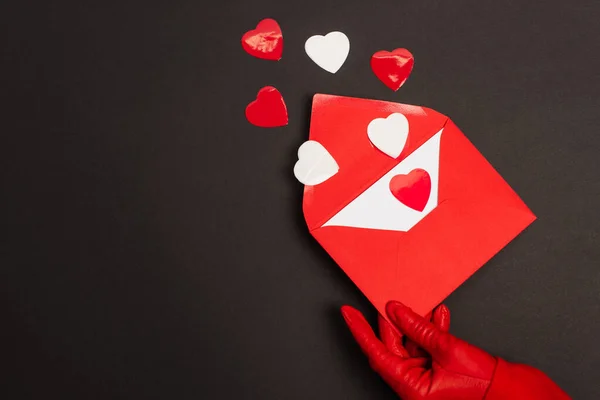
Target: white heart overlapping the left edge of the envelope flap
{"points": [[315, 165]]}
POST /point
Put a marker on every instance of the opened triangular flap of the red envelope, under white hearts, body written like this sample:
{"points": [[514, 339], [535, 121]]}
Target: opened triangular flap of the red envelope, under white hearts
{"points": [[340, 125]]}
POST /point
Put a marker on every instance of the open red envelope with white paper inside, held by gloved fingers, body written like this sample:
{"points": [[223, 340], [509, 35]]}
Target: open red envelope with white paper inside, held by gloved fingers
{"points": [[390, 251]]}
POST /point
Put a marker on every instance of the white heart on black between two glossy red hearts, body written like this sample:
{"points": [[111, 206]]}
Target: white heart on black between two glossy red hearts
{"points": [[328, 52]]}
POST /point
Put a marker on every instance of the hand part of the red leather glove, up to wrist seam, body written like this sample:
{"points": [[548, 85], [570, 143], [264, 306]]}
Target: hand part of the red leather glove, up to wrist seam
{"points": [[450, 369]]}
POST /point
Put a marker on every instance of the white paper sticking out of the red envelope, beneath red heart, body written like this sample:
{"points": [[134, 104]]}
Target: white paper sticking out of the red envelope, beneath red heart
{"points": [[377, 208]]}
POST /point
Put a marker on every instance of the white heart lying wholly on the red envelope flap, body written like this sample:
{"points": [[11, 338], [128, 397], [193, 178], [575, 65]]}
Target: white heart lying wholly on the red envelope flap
{"points": [[389, 134]]}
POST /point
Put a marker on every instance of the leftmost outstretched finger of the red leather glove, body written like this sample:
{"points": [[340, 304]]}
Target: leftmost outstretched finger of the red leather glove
{"points": [[373, 348]]}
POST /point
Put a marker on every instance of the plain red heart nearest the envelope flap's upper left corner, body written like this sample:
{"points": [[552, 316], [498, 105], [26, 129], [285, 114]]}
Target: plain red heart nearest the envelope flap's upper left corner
{"points": [[268, 110]]}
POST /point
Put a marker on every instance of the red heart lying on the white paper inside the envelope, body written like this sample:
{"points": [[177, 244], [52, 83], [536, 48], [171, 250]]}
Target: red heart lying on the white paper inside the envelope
{"points": [[413, 189]]}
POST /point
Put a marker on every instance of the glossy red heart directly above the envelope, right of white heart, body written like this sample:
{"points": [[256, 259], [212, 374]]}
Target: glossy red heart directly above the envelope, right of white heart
{"points": [[392, 68]]}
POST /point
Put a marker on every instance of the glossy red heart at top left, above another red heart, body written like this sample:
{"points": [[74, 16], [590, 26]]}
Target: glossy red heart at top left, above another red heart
{"points": [[266, 41]]}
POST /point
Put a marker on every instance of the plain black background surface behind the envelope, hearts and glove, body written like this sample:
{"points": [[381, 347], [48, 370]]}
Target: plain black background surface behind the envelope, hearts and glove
{"points": [[153, 242]]}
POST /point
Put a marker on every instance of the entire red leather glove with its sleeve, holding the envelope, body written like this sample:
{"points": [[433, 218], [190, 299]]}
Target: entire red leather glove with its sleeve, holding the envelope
{"points": [[455, 369]]}
